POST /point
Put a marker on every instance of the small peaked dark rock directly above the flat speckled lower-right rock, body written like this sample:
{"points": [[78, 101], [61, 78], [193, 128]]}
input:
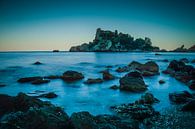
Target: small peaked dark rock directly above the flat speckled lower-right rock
{"points": [[147, 98]]}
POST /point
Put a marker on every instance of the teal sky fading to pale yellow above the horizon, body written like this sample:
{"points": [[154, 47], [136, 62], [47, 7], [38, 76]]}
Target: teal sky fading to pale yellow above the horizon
{"points": [[59, 24]]}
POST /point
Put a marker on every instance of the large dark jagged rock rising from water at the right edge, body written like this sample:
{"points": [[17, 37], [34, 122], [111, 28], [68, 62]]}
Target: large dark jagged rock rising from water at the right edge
{"points": [[181, 71]]}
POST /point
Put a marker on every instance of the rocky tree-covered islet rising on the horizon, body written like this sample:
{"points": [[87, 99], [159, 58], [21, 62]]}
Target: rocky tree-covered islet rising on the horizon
{"points": [[114, 42]]}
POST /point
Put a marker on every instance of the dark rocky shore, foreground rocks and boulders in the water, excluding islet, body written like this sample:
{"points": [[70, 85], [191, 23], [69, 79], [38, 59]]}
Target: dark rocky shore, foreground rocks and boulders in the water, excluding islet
{"points": [[29, 112]]}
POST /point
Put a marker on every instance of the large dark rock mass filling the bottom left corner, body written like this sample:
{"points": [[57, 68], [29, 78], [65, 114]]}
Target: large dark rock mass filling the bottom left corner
{"points": [[28, 112]]}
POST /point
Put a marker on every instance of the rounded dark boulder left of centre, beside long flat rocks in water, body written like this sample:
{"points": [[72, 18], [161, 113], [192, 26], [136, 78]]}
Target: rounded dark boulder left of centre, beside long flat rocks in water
{"points": [[72, 76]]}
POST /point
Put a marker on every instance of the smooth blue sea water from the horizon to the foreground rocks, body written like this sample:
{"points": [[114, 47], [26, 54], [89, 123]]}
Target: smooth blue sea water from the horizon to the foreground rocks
{"points": [[74, 97]]}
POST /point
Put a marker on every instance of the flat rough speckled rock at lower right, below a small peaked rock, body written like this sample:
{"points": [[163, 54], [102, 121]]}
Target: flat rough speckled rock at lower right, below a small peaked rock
{"points": [[135, 111]]}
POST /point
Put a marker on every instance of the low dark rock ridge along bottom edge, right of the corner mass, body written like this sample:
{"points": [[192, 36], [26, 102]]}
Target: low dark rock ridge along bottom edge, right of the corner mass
{"points": [[84, 120]]}
